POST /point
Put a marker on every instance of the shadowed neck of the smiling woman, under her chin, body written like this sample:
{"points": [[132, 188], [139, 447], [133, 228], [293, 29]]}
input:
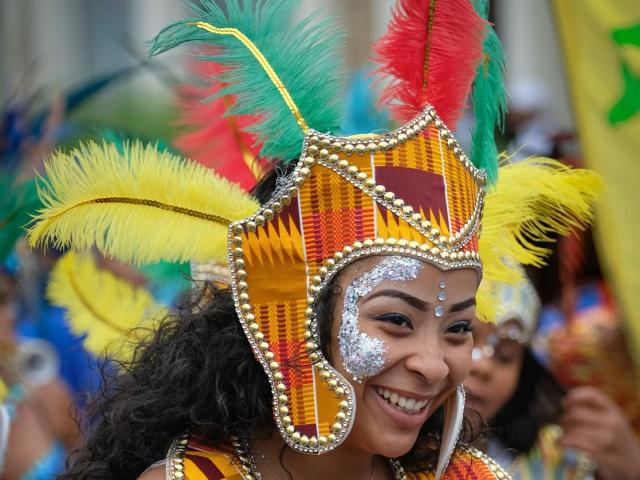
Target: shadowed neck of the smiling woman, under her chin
{"points": [[343, 462]]}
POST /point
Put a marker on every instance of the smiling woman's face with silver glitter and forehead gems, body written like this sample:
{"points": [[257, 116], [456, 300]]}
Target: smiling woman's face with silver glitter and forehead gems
{"points": [[409, 325]]}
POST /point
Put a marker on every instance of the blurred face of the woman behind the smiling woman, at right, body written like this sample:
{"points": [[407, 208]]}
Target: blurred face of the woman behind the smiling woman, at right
{"points": [[495, 369]]}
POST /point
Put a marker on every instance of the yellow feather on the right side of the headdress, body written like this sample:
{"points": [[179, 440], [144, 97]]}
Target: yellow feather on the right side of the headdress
{"points": [[533, 201]]}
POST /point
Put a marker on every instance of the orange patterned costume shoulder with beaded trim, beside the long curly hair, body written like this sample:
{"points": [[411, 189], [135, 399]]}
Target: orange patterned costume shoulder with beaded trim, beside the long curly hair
{"points": [[191, 457]]}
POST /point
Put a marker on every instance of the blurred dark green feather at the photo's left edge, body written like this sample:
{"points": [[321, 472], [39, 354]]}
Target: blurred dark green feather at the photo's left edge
{"points": [[18, 201]]}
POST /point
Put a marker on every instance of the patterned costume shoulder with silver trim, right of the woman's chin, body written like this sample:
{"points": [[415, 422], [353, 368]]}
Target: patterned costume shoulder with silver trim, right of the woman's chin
{"points": [[468, 462]]}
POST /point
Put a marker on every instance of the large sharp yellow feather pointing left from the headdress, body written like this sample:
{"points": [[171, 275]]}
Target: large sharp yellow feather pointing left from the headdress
{"points": [[140, 206]]}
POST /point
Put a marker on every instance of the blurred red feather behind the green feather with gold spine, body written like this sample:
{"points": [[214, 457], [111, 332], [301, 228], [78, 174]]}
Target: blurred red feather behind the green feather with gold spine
{"points": [[212, 139]]}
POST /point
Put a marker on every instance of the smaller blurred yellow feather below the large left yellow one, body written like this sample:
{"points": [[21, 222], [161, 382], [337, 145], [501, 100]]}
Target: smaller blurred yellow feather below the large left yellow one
{"points": [[101, 306]]}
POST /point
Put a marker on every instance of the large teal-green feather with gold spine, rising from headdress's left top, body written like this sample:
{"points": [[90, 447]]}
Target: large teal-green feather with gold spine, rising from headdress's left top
{"points": [[304, 56]]}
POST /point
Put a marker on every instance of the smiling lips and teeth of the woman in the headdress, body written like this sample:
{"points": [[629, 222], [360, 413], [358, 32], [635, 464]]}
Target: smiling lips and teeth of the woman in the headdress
{"points": [[404, 408]]}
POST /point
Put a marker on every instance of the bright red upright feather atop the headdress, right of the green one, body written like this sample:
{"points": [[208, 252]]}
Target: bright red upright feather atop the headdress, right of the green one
{"points": [[430, 51]]}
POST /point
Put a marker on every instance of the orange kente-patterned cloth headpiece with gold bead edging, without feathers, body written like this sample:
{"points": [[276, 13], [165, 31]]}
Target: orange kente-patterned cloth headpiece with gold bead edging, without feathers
{"points": [[278, 256]]}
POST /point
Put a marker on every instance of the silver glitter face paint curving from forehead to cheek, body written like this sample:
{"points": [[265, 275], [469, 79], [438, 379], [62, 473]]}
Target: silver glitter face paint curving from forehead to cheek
{"points": [[362, 355]]}
